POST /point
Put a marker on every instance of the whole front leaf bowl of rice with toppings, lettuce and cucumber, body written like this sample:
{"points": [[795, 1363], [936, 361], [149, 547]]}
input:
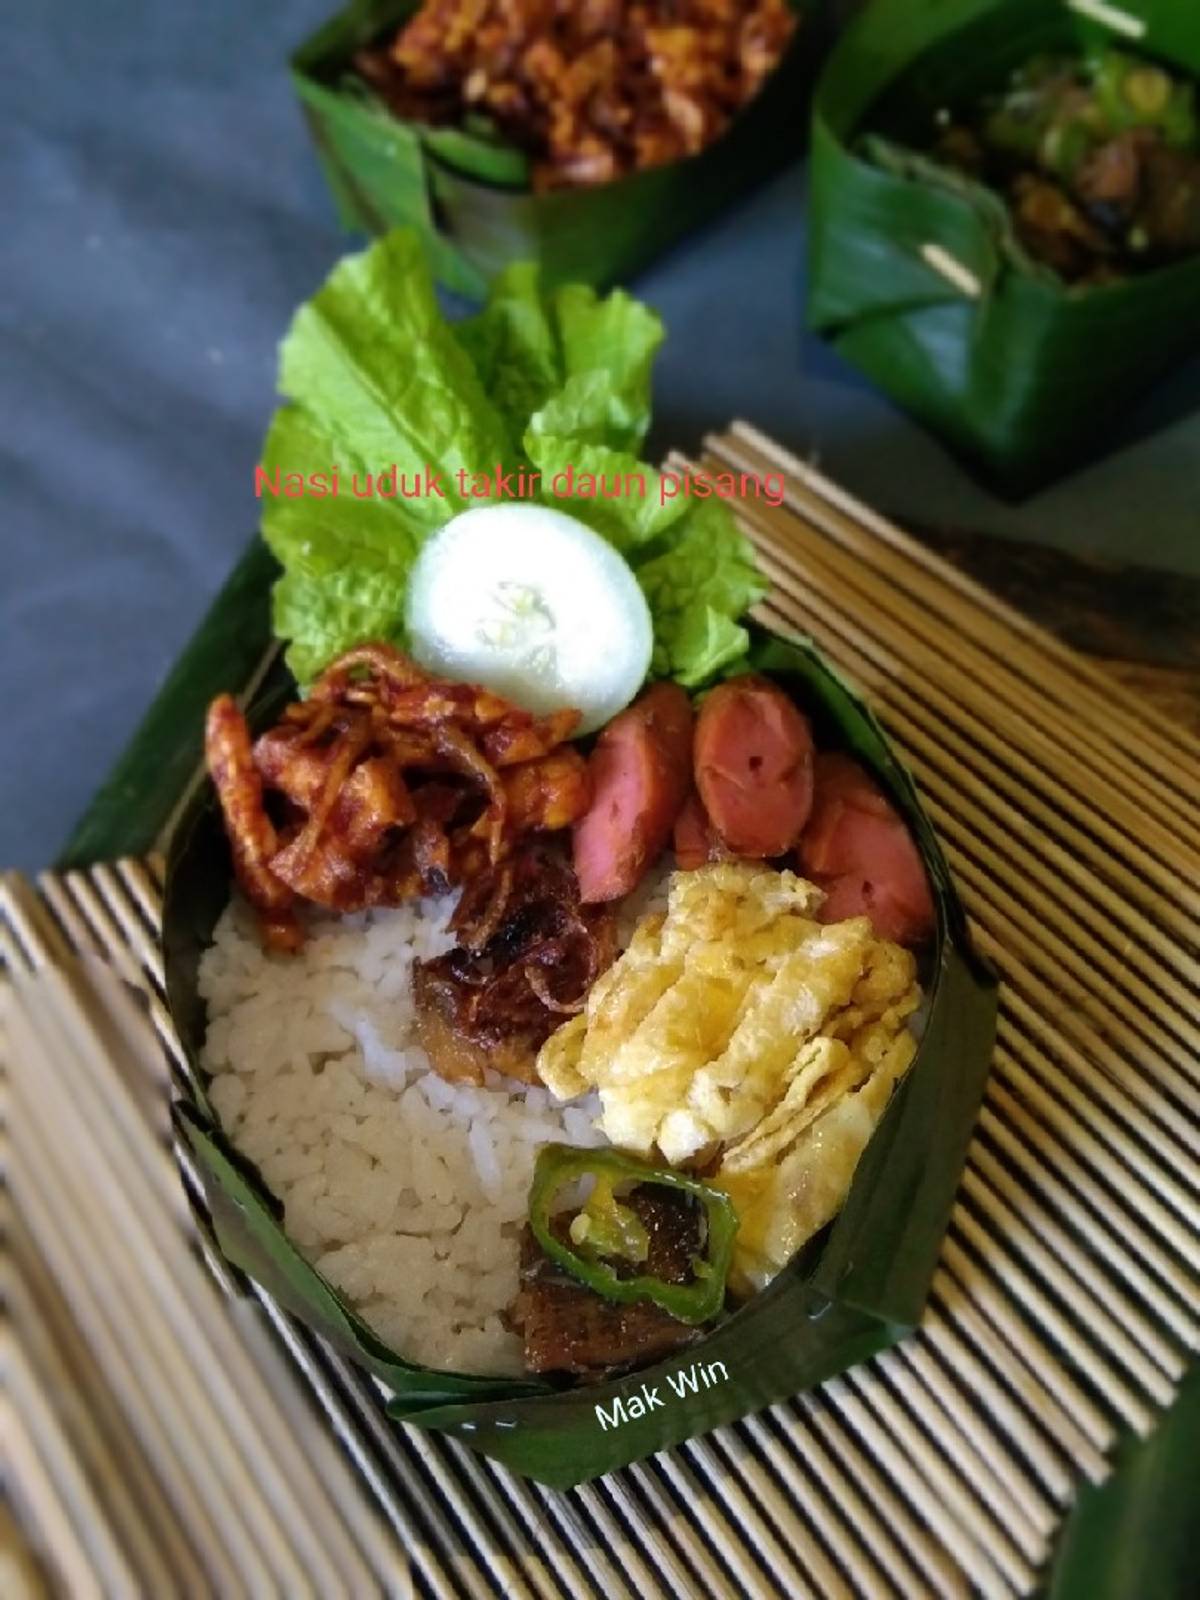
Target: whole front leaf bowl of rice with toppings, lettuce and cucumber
{"points": [[572, 980]]}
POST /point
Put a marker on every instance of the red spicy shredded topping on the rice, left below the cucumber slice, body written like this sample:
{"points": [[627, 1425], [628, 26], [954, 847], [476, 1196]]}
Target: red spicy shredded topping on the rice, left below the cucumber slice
{"points": [[383, 786]]}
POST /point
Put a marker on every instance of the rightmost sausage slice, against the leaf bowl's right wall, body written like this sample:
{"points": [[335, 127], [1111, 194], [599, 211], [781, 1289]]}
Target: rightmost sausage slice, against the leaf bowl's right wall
{"points": [[858, 849]]}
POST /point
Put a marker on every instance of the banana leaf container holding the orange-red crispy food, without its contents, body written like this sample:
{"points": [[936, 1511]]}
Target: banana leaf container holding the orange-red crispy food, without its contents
{"points": [[470, 194]]}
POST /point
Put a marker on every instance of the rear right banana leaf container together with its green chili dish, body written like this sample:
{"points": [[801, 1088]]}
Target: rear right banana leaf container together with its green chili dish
{"points": [[1004, 226]]}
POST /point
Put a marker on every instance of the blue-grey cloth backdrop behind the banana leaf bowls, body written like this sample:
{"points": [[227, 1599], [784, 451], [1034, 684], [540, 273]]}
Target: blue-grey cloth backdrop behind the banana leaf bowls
{"points": [[162, 217]]}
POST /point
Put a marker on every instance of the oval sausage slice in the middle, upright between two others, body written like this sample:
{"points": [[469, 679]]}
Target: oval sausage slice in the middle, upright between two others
{"points": [[754, 767]]}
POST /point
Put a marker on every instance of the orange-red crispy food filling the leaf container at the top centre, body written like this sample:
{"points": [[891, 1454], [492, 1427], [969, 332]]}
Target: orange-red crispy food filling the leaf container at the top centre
{"points": [[591, 89]]}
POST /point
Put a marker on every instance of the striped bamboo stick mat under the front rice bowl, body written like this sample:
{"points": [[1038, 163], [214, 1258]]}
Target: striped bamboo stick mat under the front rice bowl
{"points": [[1065, 1310]]}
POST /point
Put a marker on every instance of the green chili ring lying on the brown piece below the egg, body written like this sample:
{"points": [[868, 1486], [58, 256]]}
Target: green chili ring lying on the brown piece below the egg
{"points": [[692, 1303]]}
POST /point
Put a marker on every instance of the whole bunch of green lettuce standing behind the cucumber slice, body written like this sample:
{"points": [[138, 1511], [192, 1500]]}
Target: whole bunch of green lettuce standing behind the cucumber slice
{"points": [[377, 380]]}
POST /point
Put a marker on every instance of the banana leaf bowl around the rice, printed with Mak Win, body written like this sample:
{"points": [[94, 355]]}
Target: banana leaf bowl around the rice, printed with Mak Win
{"points": [[858, 1289]]}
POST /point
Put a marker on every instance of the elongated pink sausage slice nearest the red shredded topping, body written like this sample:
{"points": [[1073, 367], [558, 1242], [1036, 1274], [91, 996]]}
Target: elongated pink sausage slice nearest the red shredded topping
{"points": [[641, 772]]}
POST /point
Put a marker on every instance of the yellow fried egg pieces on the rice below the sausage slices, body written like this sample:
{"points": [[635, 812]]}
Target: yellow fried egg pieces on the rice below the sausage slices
{"points": [[740, 1030]]}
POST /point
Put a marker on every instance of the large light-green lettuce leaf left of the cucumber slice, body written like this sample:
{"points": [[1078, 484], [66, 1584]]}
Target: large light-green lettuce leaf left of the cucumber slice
{"points": [[375, 378]]}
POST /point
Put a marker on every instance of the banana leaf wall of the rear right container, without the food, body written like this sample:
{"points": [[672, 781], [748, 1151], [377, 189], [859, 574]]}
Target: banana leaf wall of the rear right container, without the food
{"points": [[1026, 378]]}
